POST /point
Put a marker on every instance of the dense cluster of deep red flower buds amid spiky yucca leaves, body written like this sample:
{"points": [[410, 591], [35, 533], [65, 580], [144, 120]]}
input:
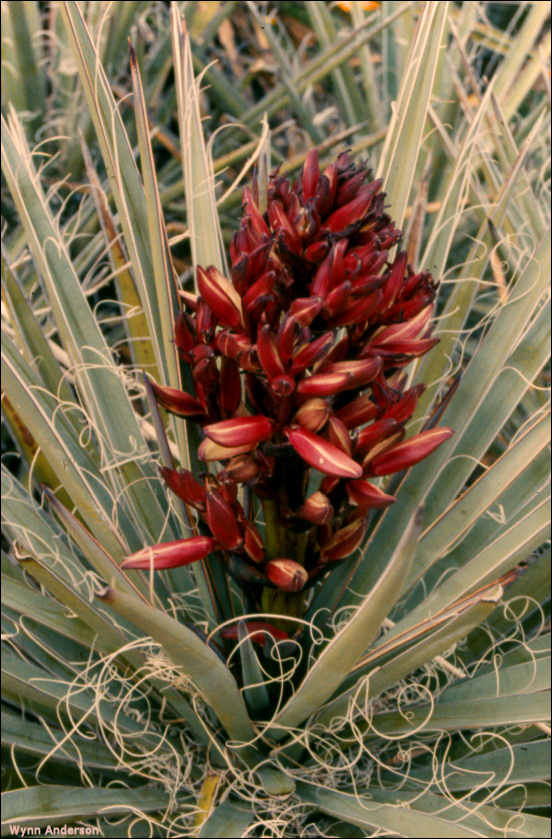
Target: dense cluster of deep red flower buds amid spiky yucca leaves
{"points": [[297, 363]]}
